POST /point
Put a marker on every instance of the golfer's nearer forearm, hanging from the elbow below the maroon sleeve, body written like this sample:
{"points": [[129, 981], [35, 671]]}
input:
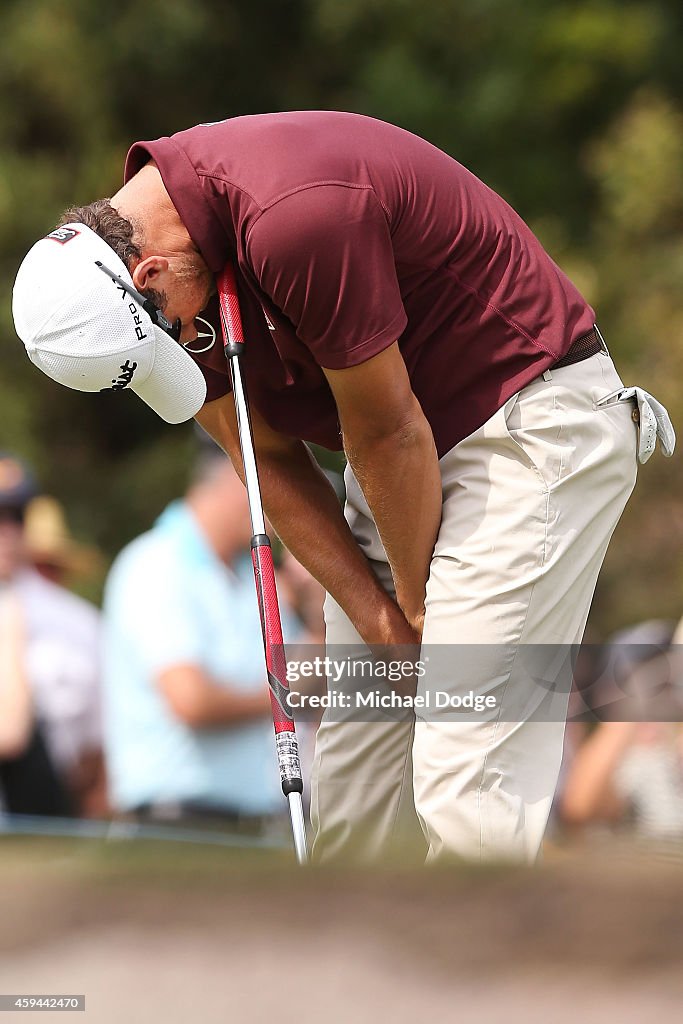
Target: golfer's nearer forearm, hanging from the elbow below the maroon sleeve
{"points": [[400, 478]]}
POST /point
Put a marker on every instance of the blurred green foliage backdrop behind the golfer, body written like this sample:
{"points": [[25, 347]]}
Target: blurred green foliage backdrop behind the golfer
{"points": [[571, 109]]}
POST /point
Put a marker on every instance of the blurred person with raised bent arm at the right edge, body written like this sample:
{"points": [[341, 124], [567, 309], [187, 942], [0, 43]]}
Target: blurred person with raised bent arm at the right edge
{"points": [[630, 773]]}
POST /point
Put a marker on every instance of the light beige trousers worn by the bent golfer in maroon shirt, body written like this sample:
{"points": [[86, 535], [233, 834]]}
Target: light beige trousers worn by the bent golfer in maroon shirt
{"points": [[531, 501]]}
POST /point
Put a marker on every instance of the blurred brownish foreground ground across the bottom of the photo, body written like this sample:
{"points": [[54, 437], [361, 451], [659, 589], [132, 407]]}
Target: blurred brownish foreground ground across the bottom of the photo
{"points": [[175, 932]]}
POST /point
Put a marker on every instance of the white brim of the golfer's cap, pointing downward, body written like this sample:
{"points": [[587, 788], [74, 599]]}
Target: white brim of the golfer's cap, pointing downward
{"points": [[176, 389]]}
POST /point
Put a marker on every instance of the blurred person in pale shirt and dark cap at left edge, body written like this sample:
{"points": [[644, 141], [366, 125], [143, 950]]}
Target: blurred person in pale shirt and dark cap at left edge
{"points": [[60, 655]]}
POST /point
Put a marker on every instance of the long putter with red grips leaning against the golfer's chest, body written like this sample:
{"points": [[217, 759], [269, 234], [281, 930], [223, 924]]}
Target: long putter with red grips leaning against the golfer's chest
{"points": [[276, 663]]}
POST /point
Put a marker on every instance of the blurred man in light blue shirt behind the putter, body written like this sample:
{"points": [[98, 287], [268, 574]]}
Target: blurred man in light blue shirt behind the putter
{"points": [[188, 727]]}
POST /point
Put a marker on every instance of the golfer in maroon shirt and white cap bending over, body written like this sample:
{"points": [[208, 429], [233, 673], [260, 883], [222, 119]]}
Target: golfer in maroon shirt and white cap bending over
{"points": [[398, 308]]}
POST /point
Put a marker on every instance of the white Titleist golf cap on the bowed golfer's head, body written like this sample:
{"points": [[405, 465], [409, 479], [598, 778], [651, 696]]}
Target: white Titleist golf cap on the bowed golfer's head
{"points": [[83, 329]]}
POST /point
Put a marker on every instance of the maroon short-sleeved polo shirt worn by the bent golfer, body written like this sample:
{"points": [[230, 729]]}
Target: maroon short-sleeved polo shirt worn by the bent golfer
{"points": [[350, 234]]}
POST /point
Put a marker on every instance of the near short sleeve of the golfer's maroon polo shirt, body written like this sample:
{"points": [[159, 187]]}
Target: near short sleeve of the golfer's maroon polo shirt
{"points": [[325, 258]]}
